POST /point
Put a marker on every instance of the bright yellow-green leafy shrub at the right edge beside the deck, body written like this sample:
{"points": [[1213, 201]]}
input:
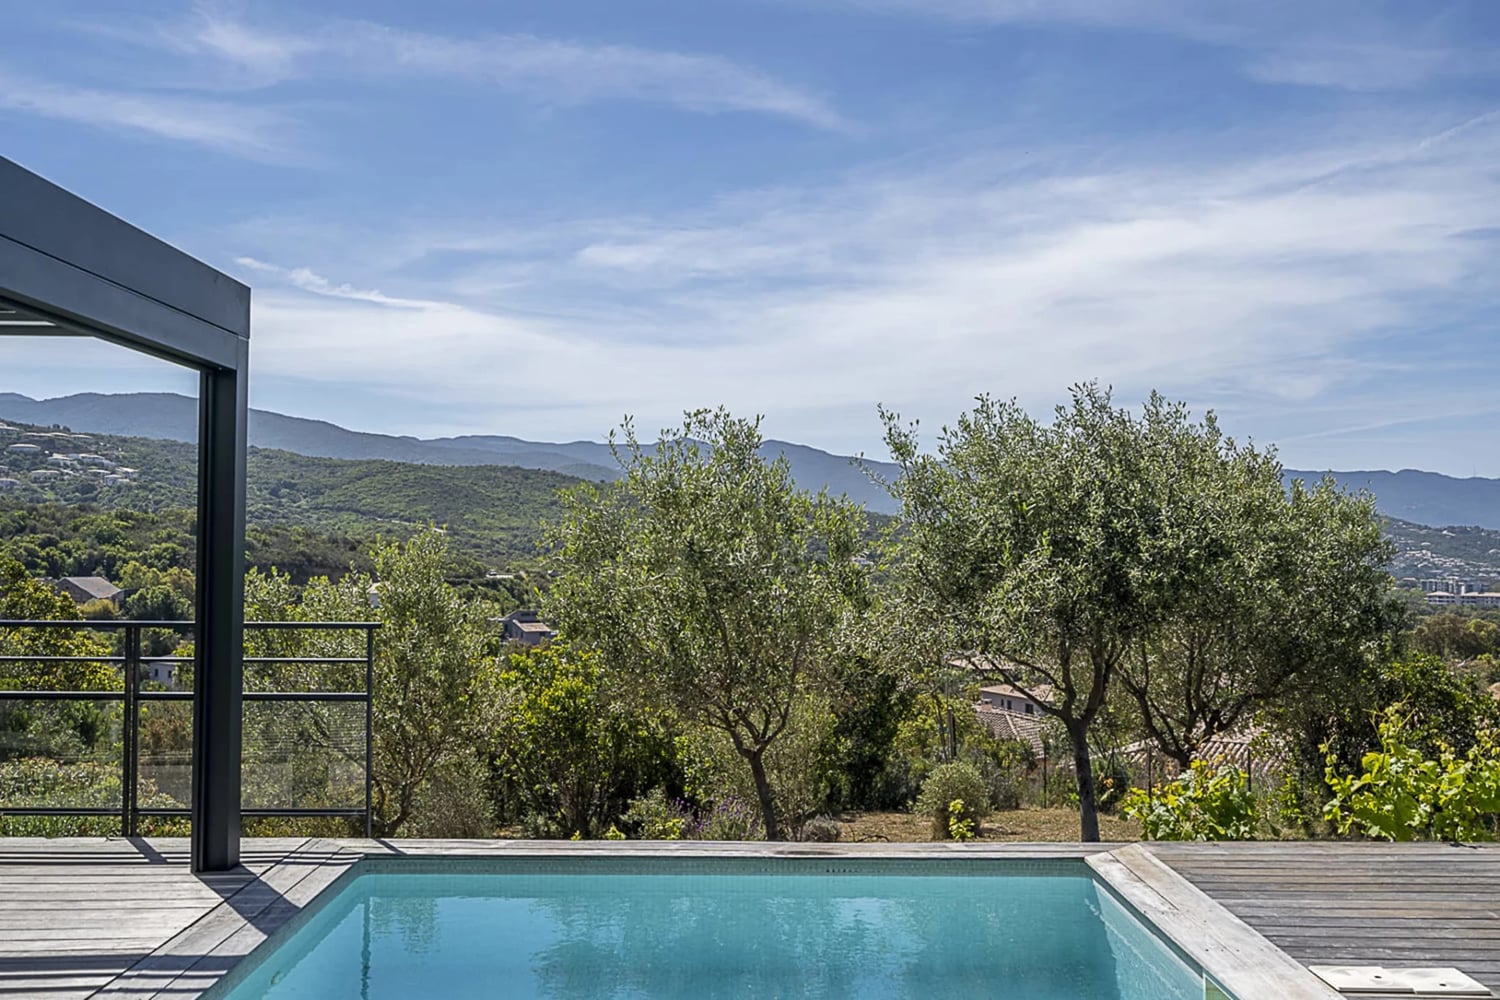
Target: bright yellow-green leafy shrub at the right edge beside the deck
{"points": [[1405, 795]]}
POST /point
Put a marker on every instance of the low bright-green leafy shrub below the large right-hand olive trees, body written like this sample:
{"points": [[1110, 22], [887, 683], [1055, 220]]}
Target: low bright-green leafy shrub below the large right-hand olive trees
{"points": [[1205, 803]]}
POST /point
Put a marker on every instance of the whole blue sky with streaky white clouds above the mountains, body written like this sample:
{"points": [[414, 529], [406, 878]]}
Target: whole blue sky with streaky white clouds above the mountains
{"points": [[533, 218]]}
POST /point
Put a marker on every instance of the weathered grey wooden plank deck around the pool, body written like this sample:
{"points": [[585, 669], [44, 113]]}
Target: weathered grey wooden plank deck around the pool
{"points": [[115, 918]]}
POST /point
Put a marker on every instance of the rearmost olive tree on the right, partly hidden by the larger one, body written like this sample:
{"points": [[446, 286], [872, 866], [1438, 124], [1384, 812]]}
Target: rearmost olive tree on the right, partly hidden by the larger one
{"points": [[1277, 593]]}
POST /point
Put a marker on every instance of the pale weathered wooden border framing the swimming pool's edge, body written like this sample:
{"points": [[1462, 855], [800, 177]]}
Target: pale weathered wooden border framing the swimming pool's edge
{"points": [[209, 954]]}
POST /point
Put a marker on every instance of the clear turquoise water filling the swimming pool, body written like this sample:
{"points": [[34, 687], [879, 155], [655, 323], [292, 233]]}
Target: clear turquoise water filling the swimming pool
{"points": [[929, 932]]}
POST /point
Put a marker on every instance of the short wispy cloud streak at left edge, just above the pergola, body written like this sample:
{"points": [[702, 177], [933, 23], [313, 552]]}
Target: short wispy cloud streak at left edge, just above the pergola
{"points": [[257, 134]]}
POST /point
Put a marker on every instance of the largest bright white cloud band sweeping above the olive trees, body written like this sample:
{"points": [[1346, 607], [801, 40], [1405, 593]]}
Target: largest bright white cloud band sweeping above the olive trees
{"points": [[1256, 281]]}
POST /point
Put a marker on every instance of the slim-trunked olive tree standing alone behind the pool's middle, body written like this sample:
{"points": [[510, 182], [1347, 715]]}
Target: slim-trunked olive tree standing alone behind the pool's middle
{"points": [[709, 581]]}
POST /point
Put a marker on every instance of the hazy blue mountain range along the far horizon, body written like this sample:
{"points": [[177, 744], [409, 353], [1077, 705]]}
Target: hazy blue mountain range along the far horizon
{"points": [[1426, 499]]}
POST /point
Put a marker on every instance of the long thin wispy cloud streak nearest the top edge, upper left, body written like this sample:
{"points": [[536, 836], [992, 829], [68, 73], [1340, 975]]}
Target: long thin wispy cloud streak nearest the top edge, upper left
{"points": [[235, 52]]}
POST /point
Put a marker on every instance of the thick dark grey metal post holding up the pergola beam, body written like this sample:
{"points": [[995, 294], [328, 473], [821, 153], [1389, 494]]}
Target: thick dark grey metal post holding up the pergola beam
{"points": [[221, 617]]}
